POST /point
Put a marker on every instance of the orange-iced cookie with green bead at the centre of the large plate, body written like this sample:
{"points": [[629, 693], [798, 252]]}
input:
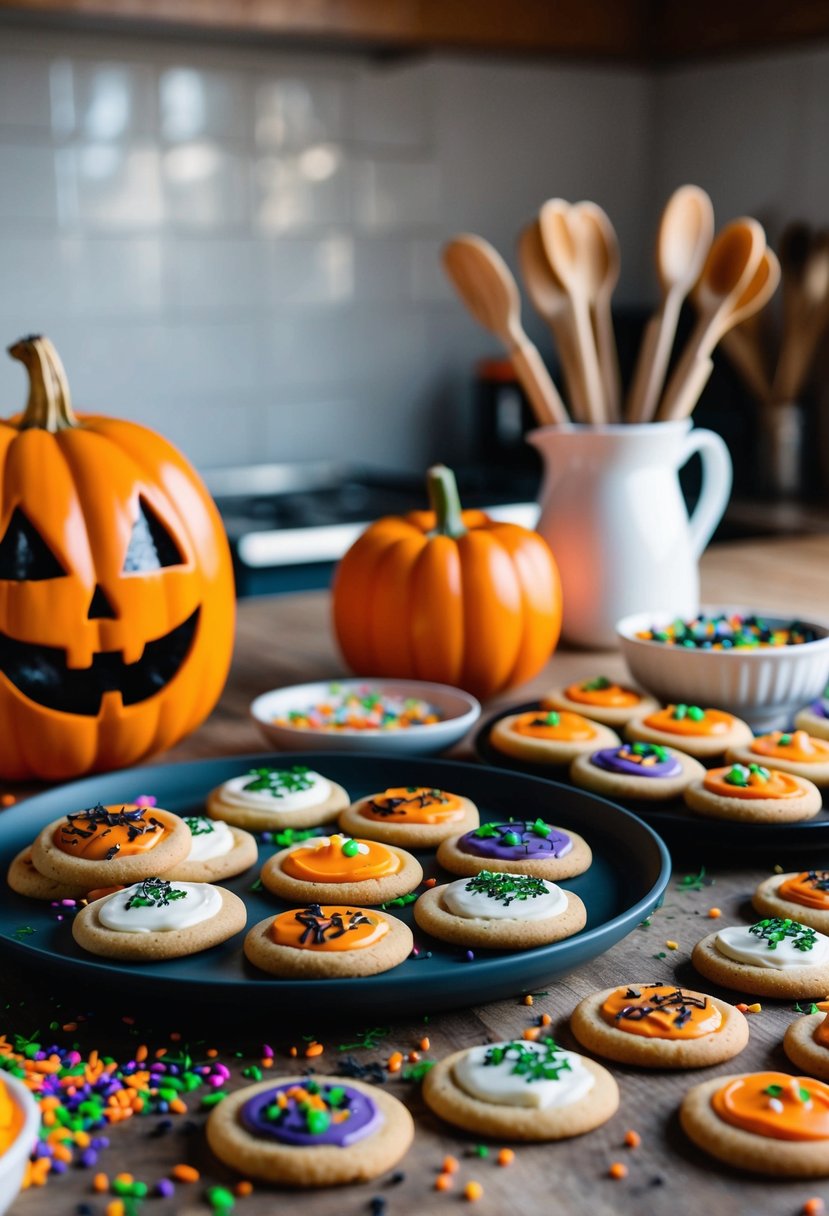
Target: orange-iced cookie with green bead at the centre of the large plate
{"points": [[341, 870]]}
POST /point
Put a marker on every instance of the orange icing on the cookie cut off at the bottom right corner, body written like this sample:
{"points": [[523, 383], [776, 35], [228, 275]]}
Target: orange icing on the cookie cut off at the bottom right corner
{"points": [[776, 1106]]}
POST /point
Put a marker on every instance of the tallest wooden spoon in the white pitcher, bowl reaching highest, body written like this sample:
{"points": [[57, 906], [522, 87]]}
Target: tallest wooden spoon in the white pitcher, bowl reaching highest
{"points": [[684, 243]]}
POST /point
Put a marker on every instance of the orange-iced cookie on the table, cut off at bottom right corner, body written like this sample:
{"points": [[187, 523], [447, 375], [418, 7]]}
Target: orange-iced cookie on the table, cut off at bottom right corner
{"points": [[769, 1123]]}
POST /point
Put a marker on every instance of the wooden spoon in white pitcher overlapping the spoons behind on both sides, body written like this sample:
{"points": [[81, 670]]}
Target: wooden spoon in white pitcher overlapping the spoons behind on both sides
{"points": [[560, 238]]}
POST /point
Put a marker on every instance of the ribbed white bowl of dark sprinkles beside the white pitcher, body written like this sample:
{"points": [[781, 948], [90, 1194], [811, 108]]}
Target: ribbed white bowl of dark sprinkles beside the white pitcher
{"points": [[764, 686]]}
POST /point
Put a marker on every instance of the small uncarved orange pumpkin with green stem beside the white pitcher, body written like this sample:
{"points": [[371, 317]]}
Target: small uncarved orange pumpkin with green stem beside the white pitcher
{"points": [[448, 595]]}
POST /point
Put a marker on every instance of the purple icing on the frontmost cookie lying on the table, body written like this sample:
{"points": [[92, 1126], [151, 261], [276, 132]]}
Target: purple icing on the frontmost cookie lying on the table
{"points": [[294, 1129]]}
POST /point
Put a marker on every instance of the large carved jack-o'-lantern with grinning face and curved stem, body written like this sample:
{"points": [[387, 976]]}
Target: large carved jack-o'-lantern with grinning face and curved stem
{"points": [[116, 587]]}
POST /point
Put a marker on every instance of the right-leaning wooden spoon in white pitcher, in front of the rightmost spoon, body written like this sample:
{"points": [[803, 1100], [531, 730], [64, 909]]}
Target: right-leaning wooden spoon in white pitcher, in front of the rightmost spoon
{"points": [[730, 269]]}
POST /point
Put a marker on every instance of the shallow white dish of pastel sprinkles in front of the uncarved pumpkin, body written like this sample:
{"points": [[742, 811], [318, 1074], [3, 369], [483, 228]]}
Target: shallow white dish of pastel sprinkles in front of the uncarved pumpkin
{"points": [[460, 712]]}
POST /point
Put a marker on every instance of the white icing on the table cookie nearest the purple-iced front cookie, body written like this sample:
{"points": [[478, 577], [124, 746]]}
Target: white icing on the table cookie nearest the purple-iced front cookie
{"points": [[504, 1088]]}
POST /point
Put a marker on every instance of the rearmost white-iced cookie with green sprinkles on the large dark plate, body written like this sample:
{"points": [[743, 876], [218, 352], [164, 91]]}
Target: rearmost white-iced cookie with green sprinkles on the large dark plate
{"points": [[270, 798]]}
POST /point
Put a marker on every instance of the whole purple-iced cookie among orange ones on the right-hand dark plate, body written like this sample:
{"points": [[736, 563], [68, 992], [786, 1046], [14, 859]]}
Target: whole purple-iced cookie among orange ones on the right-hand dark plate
{"points": [[646, 772]]}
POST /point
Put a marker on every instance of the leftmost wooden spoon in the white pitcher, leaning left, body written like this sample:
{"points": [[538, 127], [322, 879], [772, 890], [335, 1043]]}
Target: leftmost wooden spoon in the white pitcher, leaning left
{"points": [[487, 286]]}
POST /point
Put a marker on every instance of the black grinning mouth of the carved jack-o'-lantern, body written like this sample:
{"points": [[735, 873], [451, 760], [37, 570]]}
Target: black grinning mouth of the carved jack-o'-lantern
{"points": [[42, 674]]}
